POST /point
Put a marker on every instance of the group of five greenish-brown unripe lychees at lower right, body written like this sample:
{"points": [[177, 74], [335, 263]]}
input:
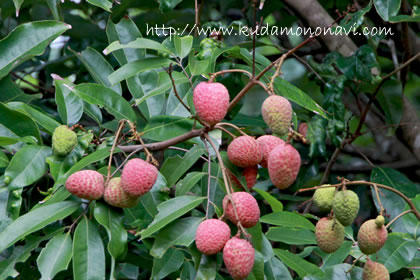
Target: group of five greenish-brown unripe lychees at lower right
{"points": [[344, 206]]}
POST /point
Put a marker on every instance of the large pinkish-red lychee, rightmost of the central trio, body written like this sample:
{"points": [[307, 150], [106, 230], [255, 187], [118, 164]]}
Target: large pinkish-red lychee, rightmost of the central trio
{"points": [[283, 165]]}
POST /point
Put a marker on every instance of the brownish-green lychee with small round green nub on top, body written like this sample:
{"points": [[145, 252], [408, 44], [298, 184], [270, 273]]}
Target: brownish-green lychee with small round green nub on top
{"points": [[372, 236]]}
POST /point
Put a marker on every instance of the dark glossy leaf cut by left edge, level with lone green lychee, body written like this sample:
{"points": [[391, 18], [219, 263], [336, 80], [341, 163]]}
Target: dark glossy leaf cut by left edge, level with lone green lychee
{"points": [[17, 124]]}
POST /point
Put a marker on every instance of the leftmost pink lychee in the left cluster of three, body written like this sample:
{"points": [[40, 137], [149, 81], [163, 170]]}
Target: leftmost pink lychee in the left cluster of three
{"points": [[87, 184]]}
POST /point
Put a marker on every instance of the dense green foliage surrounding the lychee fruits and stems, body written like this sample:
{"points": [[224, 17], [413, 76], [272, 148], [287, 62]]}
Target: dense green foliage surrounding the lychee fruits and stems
{"points": [[71, 81]]}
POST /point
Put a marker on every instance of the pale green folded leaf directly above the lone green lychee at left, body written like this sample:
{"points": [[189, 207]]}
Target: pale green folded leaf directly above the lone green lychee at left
{"points": [[69, 105]]}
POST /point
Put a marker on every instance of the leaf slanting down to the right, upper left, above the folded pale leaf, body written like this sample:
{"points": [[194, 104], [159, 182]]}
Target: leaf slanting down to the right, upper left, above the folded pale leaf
{"points": [[98, 68]]}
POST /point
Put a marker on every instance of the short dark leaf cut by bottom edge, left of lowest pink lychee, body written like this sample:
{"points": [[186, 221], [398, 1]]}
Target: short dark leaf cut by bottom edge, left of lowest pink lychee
{"points": [[170, 262]]}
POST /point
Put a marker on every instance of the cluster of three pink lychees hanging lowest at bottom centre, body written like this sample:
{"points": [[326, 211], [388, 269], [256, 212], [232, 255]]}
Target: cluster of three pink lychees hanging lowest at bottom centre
{"points": [[214, 235]]}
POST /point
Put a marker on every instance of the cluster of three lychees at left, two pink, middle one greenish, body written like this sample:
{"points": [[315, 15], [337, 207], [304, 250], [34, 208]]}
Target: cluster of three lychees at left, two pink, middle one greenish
{"points": [[137, 178]]}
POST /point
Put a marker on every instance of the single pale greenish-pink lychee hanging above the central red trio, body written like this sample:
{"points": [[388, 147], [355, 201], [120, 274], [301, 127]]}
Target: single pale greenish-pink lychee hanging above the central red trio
{"points": [[277, 114]]}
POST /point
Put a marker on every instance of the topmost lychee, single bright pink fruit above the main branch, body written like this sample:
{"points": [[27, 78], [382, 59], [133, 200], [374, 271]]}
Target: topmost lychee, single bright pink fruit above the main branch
{"points": [[211, 101]]}
